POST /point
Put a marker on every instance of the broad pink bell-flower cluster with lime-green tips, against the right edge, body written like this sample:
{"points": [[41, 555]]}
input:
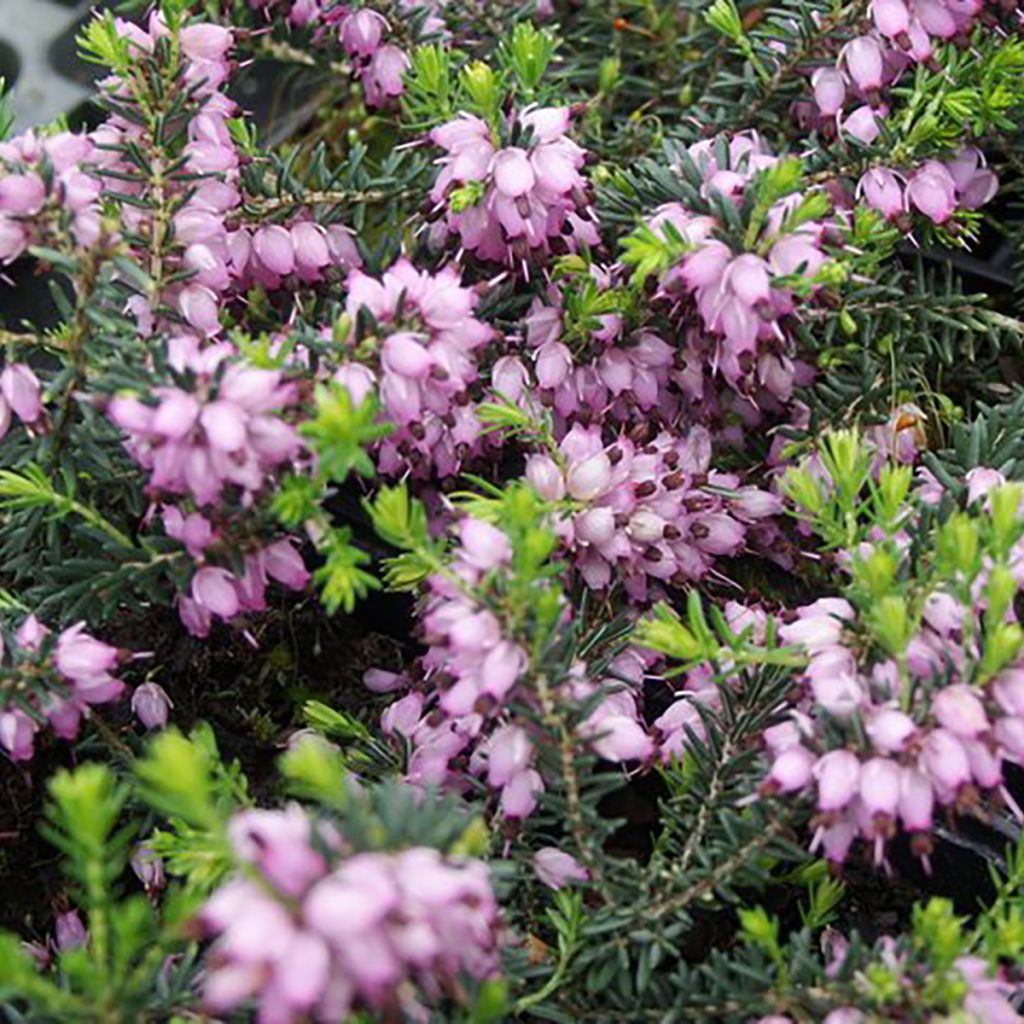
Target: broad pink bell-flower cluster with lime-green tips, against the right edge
{"points": [[905, 714]]}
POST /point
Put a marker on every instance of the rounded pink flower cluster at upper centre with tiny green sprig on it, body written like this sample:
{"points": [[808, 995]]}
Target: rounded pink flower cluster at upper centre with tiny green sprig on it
{"points": [[514, 192]]}
